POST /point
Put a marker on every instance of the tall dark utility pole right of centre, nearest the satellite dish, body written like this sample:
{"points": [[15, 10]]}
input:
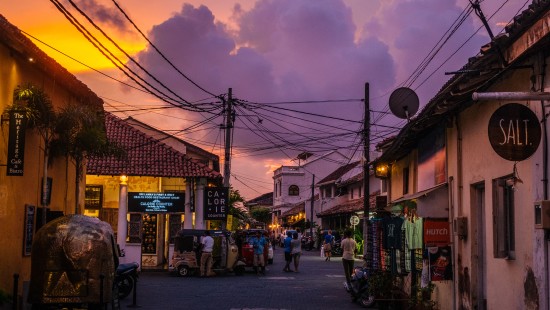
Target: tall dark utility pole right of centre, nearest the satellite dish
{"points": [[366, 175]]}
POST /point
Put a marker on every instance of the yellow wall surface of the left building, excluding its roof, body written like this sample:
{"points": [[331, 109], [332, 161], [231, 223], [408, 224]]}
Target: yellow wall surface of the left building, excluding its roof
{"points": [[17, 191]]}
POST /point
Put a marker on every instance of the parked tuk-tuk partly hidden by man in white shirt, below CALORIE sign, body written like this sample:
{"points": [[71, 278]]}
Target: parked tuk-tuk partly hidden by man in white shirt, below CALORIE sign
{"points": [[186, 258]]}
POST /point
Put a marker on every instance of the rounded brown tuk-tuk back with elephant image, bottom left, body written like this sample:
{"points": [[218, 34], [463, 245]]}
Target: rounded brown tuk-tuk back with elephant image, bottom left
{"points": [[73, 264]]}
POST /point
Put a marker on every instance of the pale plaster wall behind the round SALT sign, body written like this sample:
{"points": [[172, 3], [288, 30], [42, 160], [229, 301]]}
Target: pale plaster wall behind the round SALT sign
{"points": [[477, 163]]}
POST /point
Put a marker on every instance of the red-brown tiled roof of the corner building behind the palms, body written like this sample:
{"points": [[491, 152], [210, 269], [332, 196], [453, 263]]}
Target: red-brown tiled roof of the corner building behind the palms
{"points": [[145, 156]]}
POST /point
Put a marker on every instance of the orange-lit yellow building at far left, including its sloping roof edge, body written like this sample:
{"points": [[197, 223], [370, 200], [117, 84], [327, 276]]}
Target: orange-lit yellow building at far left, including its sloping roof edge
{"points": [[23, 63]]}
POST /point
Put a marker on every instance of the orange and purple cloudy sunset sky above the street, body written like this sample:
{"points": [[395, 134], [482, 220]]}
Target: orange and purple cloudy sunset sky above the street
{"points": [[297, 67]]}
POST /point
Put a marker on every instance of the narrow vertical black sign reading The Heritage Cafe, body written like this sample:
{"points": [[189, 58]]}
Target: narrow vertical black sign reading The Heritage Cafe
{"points": [[16, 143]]}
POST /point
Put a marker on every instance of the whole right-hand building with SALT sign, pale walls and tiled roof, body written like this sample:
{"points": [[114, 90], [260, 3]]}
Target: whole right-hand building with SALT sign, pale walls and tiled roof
{"points": [[473, 167]]}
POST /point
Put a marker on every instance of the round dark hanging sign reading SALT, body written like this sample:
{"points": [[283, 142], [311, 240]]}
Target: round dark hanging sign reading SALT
{"points": [[514, 132]]}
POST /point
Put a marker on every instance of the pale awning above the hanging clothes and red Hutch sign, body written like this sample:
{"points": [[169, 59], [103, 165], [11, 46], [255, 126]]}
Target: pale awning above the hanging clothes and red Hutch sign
{"points": [[432, 202]]}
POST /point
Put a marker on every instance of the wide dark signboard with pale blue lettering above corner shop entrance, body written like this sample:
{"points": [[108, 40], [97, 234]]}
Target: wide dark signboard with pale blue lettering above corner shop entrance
{"points": [[156, 202]]}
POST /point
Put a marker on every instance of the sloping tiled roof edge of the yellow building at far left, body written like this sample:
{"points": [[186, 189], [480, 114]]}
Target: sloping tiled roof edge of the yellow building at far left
{"points": [[23, 48]]}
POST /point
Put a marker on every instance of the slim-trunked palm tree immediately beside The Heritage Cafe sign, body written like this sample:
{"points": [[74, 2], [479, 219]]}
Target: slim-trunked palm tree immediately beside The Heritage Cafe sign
{"points": [[40, 115]]}
